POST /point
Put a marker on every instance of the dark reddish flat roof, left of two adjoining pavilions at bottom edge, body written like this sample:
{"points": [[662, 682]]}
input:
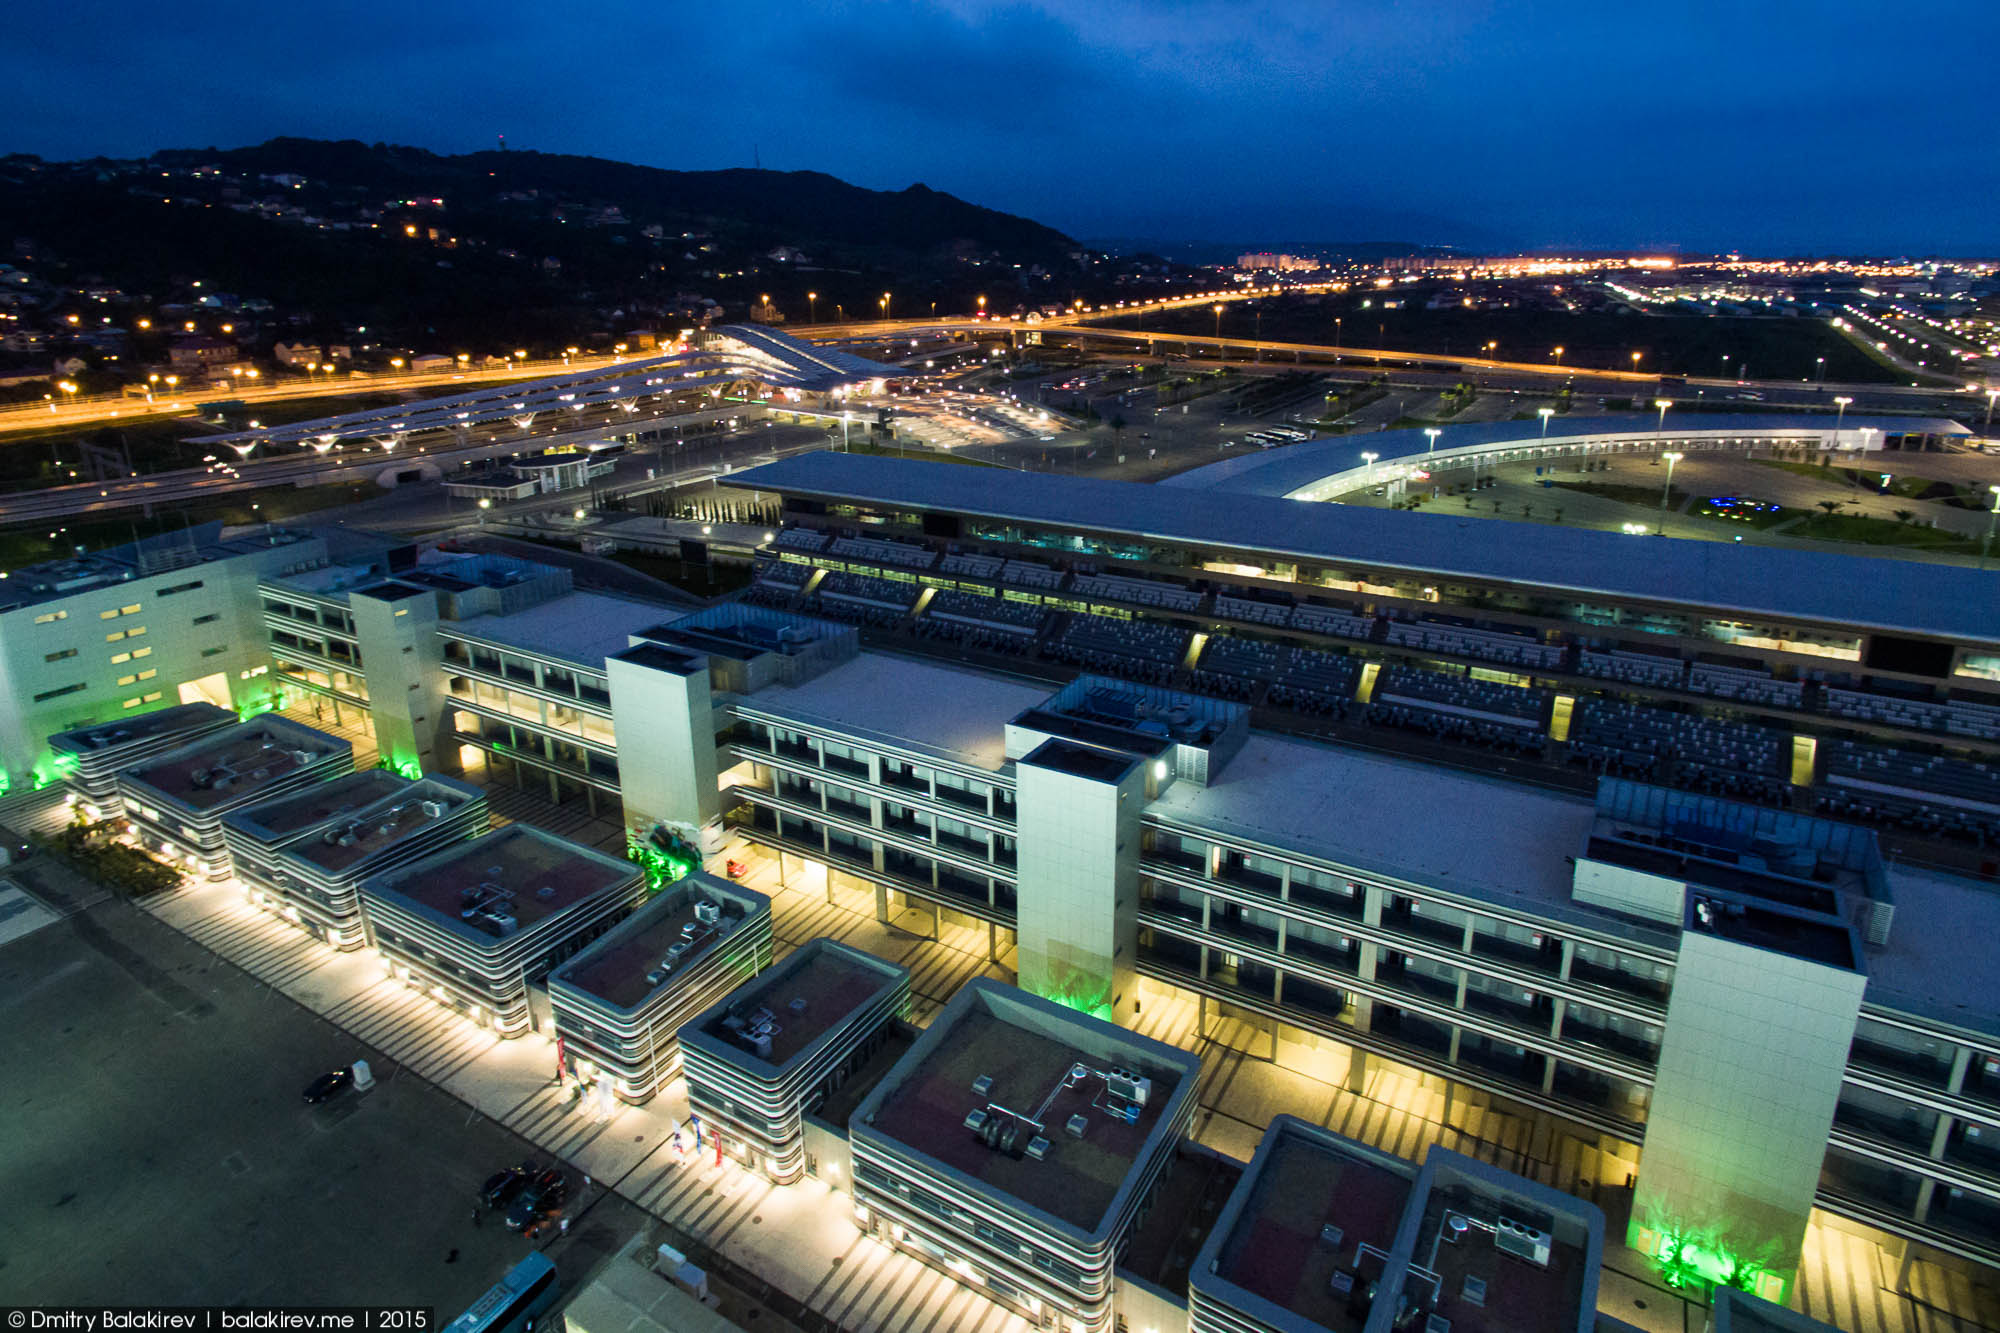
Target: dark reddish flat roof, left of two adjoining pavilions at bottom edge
{"points": [[1313, 1200]]}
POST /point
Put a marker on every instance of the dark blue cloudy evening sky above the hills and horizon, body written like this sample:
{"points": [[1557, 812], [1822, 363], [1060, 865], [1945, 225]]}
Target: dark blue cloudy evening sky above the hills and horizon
{"points": [[1763, 125]]}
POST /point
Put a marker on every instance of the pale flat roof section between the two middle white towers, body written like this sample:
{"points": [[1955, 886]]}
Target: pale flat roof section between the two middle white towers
{"points": [[915, 706]]}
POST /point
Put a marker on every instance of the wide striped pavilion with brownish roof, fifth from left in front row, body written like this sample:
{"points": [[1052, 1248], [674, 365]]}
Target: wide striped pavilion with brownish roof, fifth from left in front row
{"points": [[483, 920]]}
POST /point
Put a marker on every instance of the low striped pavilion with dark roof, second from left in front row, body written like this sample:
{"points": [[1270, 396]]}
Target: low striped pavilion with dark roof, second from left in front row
{"points": [[175, 804]]}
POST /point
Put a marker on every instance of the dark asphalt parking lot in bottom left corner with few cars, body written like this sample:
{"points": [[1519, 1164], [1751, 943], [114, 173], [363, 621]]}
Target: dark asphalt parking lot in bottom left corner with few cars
{"points": [[159, 1148]]}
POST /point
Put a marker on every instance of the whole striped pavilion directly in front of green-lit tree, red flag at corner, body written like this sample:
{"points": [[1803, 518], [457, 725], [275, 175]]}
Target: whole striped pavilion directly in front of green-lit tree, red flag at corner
{"points": [[621, 1002]]}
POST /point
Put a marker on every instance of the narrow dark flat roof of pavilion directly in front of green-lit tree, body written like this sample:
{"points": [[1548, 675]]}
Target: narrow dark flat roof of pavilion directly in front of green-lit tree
{"points": [[621, 968]]}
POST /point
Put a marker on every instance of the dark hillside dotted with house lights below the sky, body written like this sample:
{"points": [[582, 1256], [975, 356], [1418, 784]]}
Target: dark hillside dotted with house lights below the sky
{"points": [[351, 241]]}
